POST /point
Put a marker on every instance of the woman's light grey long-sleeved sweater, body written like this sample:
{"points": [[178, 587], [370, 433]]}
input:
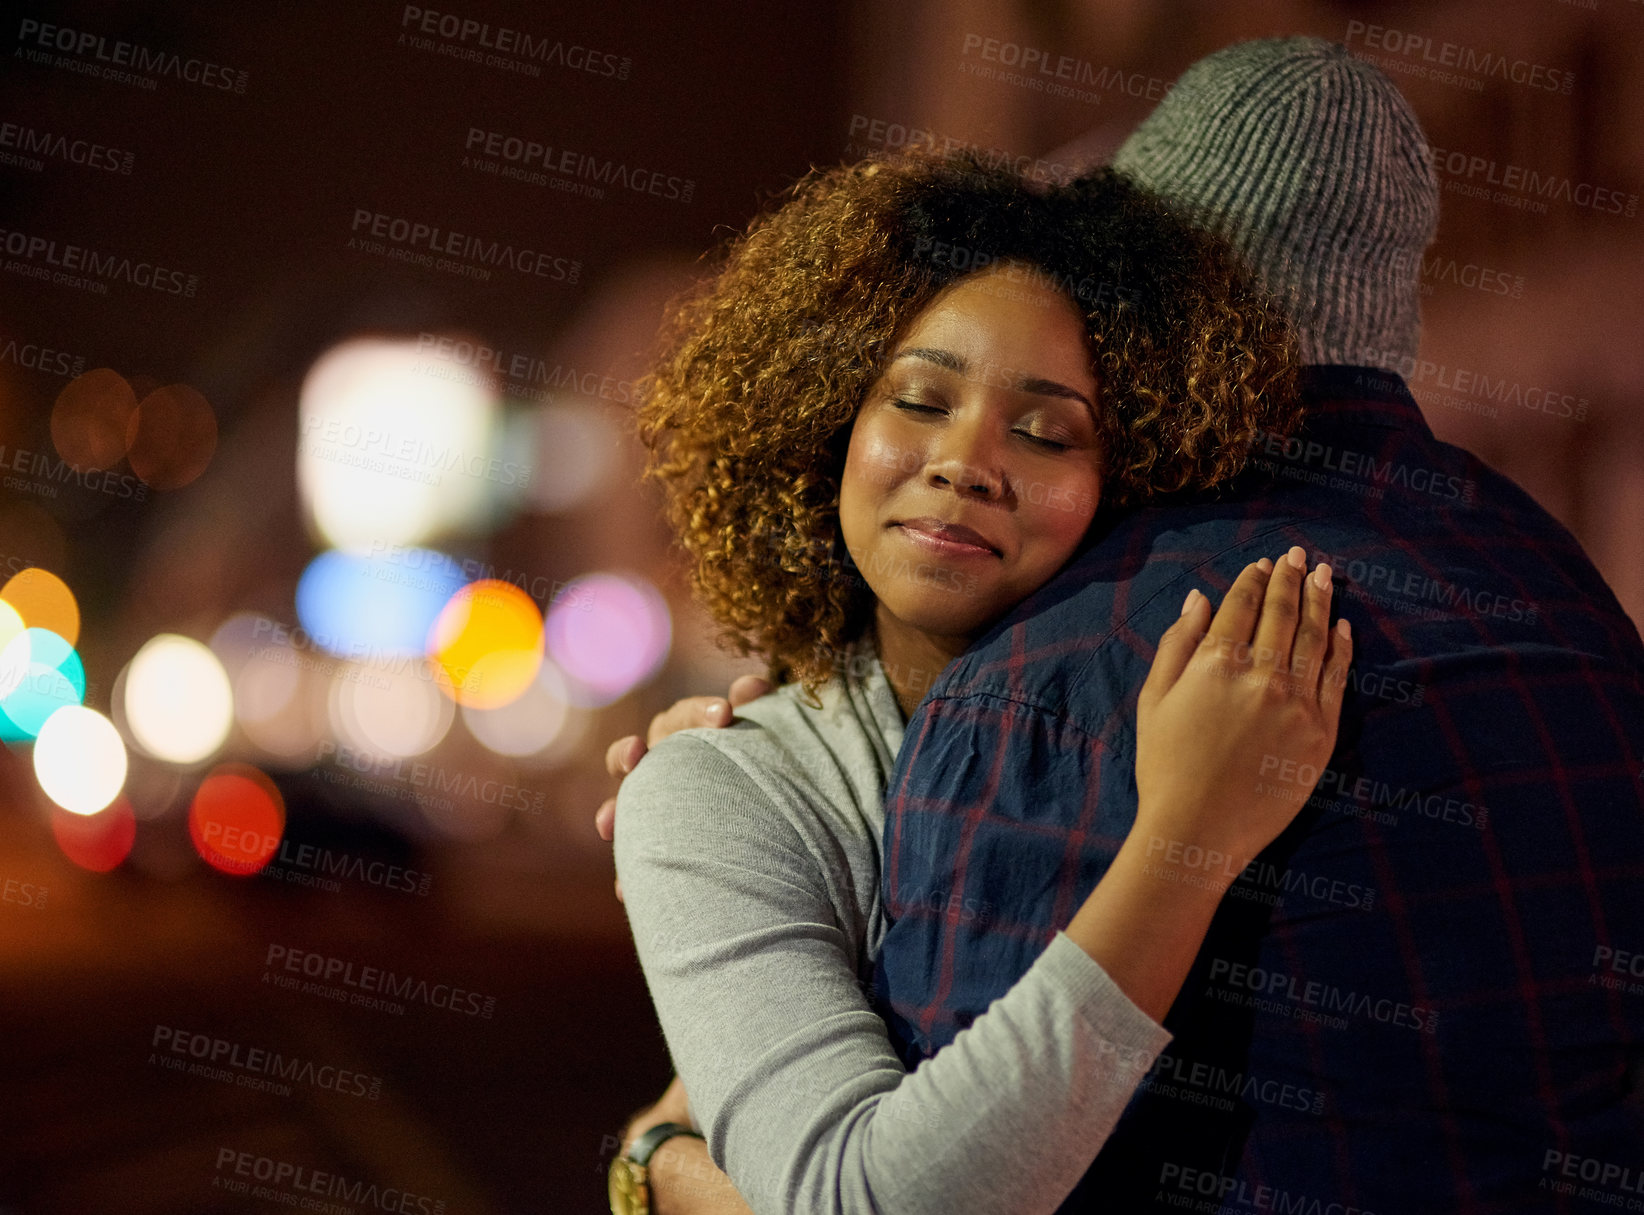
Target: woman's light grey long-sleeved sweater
{"points": [[750, 866]]}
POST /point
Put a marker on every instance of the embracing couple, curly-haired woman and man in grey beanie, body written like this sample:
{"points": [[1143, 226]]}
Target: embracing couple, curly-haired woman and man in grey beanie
{"points": [[1191, 785]]}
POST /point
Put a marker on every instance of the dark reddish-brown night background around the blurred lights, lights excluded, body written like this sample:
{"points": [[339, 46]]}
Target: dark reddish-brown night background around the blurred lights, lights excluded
{"points": [[256, 195]]}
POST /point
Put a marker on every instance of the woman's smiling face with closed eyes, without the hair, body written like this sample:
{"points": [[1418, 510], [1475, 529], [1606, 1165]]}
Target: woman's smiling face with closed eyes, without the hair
{"points": [[974, 464]]}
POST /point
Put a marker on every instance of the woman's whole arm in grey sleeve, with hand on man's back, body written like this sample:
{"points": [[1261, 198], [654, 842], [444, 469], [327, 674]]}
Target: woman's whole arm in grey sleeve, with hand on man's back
{"points": [[790, 1071]]}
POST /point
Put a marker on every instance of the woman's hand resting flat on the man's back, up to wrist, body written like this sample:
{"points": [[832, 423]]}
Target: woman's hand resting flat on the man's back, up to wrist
{"points": [[1239, 718]]}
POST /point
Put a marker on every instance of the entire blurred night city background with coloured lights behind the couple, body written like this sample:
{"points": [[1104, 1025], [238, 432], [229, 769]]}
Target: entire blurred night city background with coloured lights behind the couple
{"points": [[325, 568]]}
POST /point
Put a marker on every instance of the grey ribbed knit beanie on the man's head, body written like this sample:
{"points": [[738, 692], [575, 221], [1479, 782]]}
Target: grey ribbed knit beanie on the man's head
{"points": [[1314, 167]]}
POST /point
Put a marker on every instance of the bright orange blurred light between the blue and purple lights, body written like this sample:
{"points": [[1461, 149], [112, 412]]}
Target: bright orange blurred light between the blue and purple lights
{"points": [[487, 644]]}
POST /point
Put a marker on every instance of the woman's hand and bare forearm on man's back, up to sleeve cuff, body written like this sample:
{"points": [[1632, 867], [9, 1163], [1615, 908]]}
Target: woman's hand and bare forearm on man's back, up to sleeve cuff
{"points": [[1235, 724]]}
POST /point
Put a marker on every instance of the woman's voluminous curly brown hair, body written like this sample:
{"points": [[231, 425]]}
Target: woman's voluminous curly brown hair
{"points": [[747, 413]]}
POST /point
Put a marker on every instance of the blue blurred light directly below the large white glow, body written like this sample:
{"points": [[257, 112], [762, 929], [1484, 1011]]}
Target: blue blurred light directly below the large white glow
{"points": [[386, 603]]}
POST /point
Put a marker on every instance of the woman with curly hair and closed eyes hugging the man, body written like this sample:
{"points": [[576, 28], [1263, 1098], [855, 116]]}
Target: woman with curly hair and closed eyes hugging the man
{"points": [[887, 422]]}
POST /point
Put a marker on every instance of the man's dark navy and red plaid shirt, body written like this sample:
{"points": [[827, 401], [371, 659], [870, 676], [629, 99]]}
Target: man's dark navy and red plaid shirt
{"points": [[1428, 996]]}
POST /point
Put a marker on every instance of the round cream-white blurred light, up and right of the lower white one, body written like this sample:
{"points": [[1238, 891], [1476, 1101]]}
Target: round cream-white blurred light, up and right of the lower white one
{"points": [[178, 700]]}
